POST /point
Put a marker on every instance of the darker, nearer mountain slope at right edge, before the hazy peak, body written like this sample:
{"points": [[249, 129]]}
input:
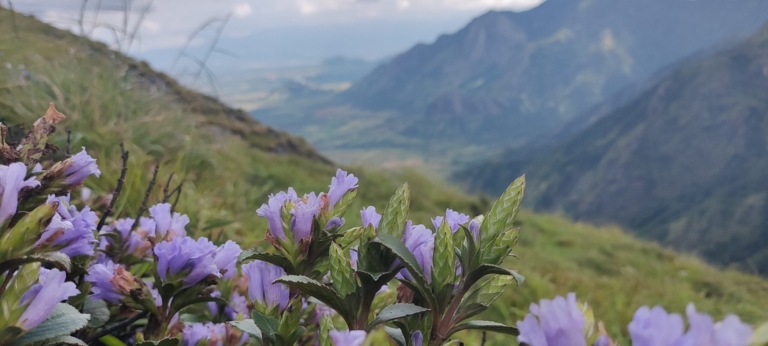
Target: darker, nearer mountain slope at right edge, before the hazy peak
{"points": [[685, 163]]}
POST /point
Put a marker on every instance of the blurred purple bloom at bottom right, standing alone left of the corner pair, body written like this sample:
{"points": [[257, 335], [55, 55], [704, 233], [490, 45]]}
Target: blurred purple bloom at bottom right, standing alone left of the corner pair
{"points": [[560, 322]]}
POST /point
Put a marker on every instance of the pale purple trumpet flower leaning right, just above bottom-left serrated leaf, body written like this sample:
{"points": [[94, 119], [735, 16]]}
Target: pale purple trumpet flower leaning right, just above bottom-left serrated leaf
{"points": [[42, 298]]}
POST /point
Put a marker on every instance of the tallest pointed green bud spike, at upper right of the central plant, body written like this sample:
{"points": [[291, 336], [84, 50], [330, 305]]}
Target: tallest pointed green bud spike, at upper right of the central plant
{"points": [[503, 213]]}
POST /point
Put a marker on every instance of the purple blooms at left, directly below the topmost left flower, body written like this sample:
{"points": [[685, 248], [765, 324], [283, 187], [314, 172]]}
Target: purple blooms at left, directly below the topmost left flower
{"points": [[70, 231]]}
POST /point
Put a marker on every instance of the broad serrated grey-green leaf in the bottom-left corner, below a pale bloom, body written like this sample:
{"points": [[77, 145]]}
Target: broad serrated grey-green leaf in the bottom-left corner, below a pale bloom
{"points": [[64, 320]]}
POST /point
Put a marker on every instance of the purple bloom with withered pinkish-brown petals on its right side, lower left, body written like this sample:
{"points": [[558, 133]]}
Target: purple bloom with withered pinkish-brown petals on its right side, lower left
{"points": [[111, 282]]}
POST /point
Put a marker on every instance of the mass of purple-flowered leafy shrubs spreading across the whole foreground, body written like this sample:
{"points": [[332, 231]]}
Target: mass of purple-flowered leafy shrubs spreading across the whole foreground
{"points": [[70, 272]]}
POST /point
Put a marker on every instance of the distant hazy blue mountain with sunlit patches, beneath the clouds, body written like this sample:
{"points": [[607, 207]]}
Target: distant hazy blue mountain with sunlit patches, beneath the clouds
{"points": [[509, 79]]}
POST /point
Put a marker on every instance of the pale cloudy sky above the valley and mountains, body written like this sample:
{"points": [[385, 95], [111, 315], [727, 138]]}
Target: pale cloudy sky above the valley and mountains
{"points": [[269, 31]]}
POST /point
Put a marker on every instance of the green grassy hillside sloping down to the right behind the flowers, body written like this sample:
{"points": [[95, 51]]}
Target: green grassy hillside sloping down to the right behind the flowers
{"points": [[227, 177]]}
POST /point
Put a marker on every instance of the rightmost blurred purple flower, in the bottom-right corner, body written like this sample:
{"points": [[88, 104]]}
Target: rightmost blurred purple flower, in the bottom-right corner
{"points": [[704, 332]]}
